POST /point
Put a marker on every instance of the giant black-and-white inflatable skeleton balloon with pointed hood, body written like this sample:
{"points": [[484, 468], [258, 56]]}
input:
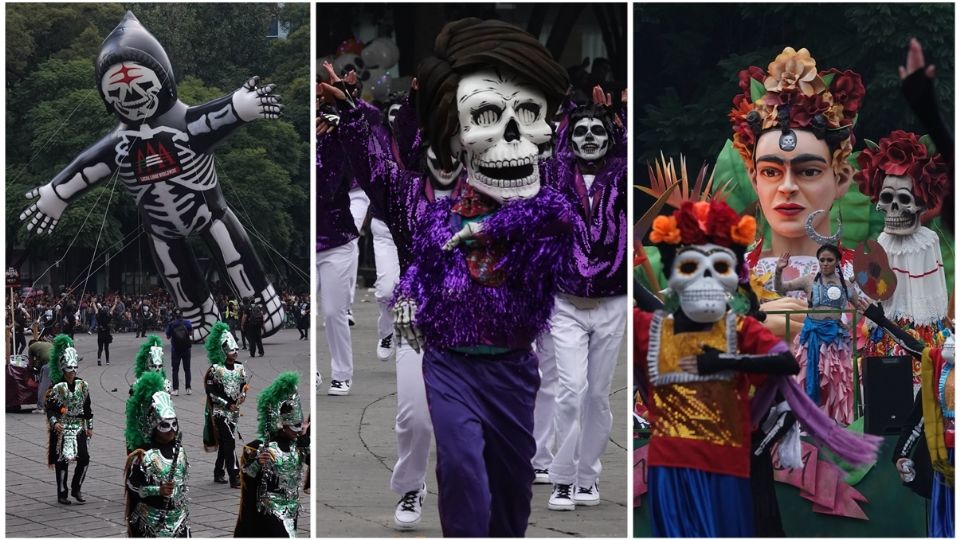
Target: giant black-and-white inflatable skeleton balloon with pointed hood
{"points": [[162, 150]]}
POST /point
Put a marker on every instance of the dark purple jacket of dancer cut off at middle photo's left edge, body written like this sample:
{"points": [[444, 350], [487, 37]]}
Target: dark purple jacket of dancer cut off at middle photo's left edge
{"points": [[335, 225]]}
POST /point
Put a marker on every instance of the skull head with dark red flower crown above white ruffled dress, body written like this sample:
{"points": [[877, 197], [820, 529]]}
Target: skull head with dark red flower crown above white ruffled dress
{"points": [[905, 178]]}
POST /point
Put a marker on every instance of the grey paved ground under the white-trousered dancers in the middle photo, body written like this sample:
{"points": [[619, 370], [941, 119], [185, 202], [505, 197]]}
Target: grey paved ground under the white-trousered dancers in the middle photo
{"points": [[356, 451]]}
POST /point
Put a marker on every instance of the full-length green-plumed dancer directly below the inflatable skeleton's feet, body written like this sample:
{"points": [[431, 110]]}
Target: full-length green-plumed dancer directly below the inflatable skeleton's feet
{"points": [[226, 386]]}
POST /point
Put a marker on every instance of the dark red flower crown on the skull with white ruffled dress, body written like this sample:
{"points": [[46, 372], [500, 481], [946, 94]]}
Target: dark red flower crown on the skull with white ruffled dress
{"points": [[904, 154]]}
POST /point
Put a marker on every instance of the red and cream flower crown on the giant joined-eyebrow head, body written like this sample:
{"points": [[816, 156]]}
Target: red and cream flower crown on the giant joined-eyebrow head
{"points": [[792, 94]]}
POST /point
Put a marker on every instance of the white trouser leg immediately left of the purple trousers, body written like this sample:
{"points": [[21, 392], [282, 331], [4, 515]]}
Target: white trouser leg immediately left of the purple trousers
{"points": [[413, 427]]}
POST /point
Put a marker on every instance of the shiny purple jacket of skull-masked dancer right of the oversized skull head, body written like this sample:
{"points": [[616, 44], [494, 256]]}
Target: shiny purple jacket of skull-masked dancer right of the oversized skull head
{"points": [[598, 264]]}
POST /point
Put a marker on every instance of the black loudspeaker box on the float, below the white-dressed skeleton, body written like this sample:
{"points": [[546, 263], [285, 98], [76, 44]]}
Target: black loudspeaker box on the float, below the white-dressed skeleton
{"points": [[887, 393]]}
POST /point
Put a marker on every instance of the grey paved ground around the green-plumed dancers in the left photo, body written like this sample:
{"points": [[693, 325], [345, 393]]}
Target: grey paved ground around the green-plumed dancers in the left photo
{"points": [[32, 508]]}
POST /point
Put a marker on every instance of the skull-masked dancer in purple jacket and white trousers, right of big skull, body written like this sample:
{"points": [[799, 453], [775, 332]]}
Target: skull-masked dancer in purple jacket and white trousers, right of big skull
{"points": [[588, 322]]}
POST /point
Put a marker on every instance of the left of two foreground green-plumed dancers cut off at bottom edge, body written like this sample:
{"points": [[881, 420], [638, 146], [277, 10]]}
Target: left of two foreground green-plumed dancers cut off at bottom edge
{"points": [[156, 470]]}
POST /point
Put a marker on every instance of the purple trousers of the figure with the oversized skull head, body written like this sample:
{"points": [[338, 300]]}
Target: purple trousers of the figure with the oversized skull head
{"points": [[482, 412]]}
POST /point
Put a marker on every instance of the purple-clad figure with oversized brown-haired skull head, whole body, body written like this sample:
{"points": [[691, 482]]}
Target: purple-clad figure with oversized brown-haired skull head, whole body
{"points": [[481, 274]]}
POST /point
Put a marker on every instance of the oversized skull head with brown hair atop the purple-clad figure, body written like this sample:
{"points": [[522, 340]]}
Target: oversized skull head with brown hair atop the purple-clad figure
{"points": [[486, 97]]}
